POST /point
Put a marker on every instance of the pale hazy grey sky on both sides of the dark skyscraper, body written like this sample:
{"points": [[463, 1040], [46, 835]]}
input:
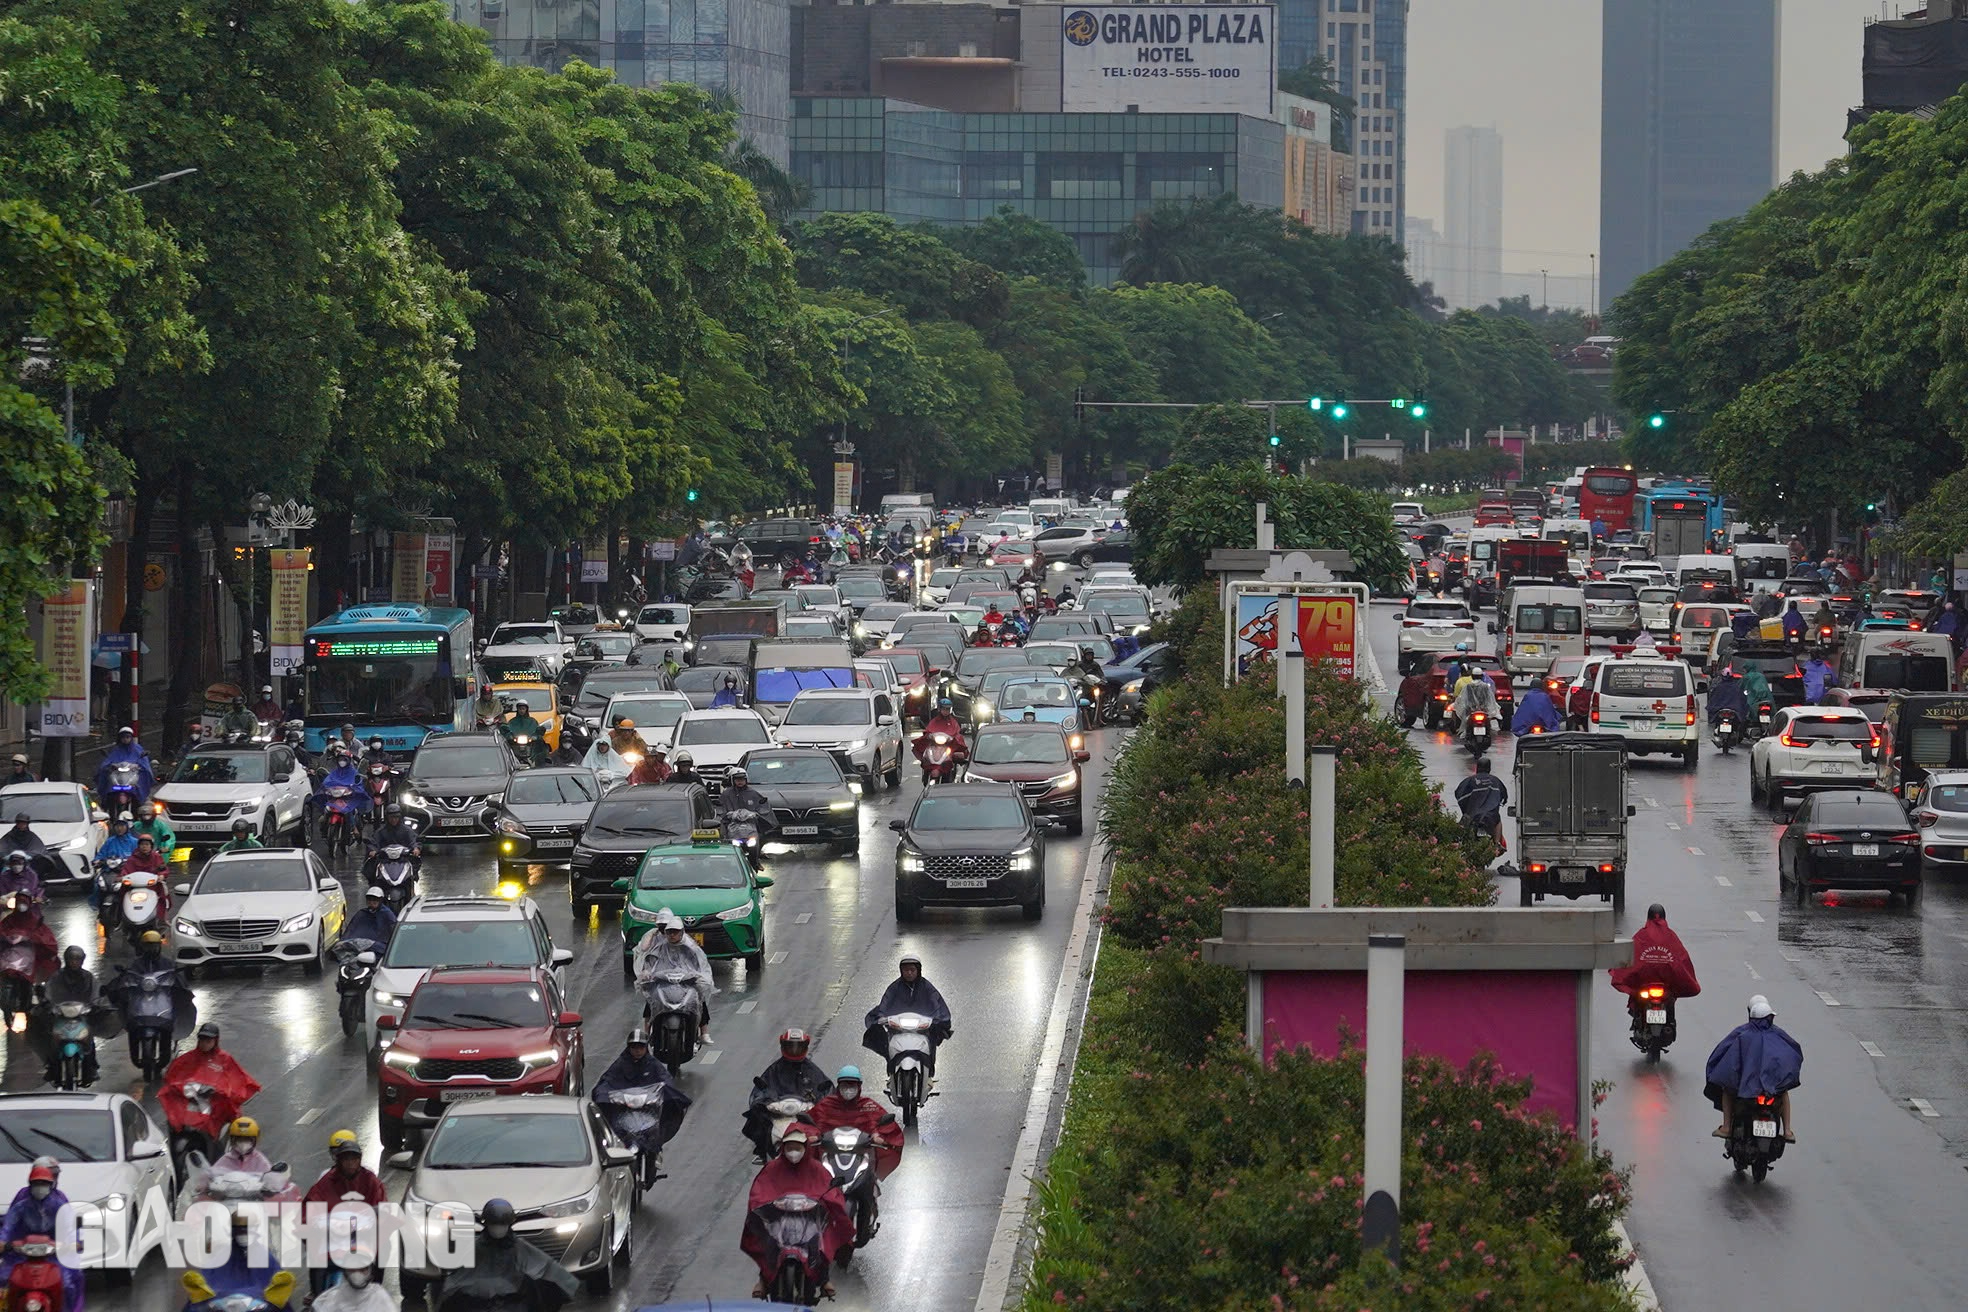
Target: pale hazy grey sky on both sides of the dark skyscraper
{"points": [[1530, 70]]}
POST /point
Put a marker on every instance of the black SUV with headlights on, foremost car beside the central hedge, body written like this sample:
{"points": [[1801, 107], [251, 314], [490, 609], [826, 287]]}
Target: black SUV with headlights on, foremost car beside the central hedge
{"points": [[971, 845]]}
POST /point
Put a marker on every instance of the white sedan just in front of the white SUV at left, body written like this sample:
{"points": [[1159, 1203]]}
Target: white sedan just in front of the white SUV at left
{"points": [[259, 906]]}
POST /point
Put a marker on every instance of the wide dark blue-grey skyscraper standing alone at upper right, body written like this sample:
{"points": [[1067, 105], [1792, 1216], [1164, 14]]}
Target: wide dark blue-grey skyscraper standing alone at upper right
{"points": [[1688, 125]]}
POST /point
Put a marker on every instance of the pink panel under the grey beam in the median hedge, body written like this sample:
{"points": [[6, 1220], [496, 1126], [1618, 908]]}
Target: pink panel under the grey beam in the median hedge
{"points": [[1526, 1018]]}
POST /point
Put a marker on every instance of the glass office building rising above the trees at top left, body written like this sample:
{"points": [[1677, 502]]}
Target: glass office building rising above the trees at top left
{"points": [[735, 46]]}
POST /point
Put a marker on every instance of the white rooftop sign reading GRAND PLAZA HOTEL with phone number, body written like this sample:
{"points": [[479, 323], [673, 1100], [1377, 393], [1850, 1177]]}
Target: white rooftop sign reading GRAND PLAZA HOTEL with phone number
{"points": [[1168, 58]]}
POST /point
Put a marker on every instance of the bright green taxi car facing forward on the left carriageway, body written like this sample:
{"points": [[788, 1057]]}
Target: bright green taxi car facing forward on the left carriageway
{"points": [[711, 886]]}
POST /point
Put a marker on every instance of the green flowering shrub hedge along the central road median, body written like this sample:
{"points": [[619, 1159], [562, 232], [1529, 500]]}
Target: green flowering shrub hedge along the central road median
{"points": [[1196, 1177]]}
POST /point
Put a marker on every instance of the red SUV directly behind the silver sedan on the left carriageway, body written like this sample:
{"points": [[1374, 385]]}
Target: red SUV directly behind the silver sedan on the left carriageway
{"points": [[477, 1032]]}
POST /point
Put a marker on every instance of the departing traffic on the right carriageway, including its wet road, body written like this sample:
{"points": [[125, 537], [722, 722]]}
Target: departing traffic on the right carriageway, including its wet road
{"points": [[1753, 750]]}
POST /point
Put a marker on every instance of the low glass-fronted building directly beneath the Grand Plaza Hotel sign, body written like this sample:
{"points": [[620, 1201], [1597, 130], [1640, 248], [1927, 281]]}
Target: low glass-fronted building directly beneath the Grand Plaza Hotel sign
{"points": [[1083, 174]]}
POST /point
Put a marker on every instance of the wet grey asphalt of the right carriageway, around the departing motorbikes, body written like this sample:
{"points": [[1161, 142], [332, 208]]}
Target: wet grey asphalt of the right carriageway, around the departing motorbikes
{"points": [[1867, 1207]]}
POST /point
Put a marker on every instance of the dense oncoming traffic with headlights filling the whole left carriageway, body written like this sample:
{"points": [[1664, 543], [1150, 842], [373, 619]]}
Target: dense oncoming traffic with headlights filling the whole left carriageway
{"points": [[674, 947]]}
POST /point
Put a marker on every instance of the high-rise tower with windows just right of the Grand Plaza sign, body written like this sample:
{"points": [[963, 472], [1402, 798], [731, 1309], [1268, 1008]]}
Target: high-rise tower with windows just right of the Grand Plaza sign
{"points": [[1365, 48]]}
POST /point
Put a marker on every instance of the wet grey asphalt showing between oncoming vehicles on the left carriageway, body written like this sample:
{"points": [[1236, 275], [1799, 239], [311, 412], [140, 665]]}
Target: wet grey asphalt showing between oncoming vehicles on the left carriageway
{"points": [[833, 947]]}
